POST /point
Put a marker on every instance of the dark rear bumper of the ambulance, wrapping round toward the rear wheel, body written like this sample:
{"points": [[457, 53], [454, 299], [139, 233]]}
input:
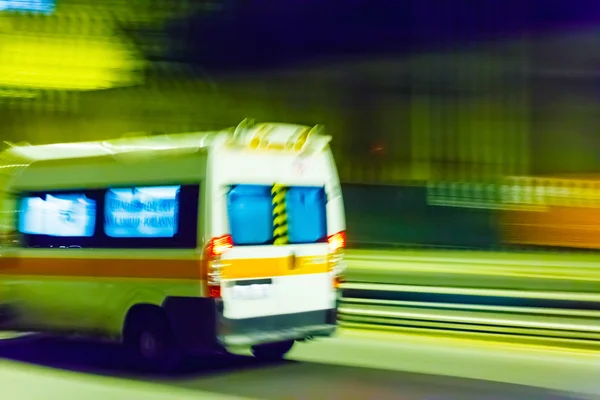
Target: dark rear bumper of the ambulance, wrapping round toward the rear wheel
{"points": [[199, 324]]}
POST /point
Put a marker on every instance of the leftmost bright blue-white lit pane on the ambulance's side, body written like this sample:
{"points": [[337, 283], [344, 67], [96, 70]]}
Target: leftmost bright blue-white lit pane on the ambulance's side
{"points": [[57, 219]]}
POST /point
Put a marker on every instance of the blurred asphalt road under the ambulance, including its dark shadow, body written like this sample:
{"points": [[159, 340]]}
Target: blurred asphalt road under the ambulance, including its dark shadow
{"points": [[354, 365]]}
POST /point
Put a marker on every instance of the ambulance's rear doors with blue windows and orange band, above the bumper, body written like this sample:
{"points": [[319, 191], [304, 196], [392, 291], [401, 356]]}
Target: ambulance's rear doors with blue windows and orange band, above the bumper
{"points": [[278, 264]]}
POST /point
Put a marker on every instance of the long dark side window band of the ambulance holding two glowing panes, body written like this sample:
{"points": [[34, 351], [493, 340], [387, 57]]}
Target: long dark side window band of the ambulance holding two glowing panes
{"points": [[118, 218]]}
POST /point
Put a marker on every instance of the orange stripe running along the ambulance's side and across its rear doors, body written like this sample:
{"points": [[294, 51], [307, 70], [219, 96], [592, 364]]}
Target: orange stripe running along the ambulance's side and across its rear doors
{"points": [[156, 269]]}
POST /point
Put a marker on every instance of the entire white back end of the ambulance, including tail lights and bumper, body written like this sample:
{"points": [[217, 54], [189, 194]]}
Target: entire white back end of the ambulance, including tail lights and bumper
{"points": [[277, 217]]}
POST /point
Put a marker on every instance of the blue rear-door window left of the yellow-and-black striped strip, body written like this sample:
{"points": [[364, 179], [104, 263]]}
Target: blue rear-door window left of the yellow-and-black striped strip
{"points": [[250, 213]]}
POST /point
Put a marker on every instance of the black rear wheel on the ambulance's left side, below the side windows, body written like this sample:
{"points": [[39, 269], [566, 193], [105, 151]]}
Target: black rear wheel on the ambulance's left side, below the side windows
{"points": [[150, 342]]}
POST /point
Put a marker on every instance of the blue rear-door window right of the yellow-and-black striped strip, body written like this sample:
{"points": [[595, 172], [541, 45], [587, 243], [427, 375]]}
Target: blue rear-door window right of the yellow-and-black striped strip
{"points": [[307, 218]]}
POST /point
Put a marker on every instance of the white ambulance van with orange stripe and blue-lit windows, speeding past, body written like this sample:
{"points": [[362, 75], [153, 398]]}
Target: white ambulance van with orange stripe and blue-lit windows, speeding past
{"points": [[174, 244]]}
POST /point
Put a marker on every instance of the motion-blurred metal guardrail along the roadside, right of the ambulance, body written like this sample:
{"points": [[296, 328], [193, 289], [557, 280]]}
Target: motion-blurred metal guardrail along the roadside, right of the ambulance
{"points": [[551, 296]]}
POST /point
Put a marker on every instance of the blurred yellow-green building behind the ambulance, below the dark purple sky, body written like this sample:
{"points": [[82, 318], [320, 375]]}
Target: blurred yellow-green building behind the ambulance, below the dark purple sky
{"points": [[519, 106]]}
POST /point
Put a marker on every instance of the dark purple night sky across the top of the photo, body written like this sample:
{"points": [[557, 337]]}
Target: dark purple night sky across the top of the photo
{"points": [[251, 34]]}
